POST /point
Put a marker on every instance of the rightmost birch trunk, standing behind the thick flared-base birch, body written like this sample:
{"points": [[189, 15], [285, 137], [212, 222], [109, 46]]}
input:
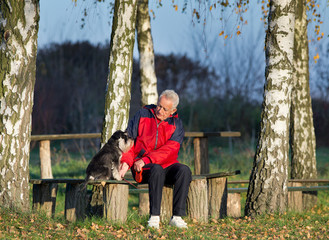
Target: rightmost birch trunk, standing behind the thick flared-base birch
{"points": [[303, 160]]}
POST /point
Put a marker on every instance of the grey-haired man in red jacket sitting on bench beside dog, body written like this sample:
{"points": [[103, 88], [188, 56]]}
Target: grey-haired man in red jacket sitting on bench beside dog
{"points": [[158, 135]]}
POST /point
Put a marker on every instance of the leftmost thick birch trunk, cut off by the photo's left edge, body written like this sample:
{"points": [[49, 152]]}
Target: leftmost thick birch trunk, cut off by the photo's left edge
{"points": [[19, 31]]}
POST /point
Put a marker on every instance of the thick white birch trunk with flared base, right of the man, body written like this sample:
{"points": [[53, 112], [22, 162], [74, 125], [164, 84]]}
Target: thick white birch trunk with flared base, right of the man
{"points": [[268, 186]]}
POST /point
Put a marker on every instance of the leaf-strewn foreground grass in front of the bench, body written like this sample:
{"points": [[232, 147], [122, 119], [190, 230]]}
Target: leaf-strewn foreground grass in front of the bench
{"points": [[312, 224]]}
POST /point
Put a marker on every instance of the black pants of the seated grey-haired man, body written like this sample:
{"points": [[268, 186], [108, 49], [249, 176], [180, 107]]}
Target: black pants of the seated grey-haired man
{"points": [[178, 175]]}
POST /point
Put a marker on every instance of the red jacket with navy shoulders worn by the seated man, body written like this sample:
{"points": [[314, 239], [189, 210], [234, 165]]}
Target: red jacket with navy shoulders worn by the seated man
{"points": [[155, 141]]}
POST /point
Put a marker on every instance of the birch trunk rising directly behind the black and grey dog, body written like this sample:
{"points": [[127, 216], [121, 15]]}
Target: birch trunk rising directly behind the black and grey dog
{"points": [[117, 100]]}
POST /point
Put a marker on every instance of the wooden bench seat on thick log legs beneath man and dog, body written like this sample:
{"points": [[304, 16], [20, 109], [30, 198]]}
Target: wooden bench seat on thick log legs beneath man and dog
{"points": [[207, 197]]}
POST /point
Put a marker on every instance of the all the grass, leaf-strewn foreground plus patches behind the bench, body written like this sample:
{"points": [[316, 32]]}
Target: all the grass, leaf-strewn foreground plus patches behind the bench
{"points": [[311, 224]]}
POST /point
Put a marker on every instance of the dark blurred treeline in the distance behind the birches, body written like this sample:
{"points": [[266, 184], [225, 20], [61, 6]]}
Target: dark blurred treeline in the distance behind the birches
{"points": [[71, 84]]}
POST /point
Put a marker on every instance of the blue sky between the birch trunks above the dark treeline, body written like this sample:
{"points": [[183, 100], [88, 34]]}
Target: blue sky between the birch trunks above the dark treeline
{"points": [[172, 31]]}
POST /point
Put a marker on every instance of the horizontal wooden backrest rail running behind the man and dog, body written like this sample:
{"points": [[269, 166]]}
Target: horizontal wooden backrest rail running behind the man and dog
{"points": [[98, 135]]}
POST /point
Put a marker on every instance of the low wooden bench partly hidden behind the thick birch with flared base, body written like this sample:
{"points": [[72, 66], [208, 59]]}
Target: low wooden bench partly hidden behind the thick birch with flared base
{"points": [[295, 191]]}
